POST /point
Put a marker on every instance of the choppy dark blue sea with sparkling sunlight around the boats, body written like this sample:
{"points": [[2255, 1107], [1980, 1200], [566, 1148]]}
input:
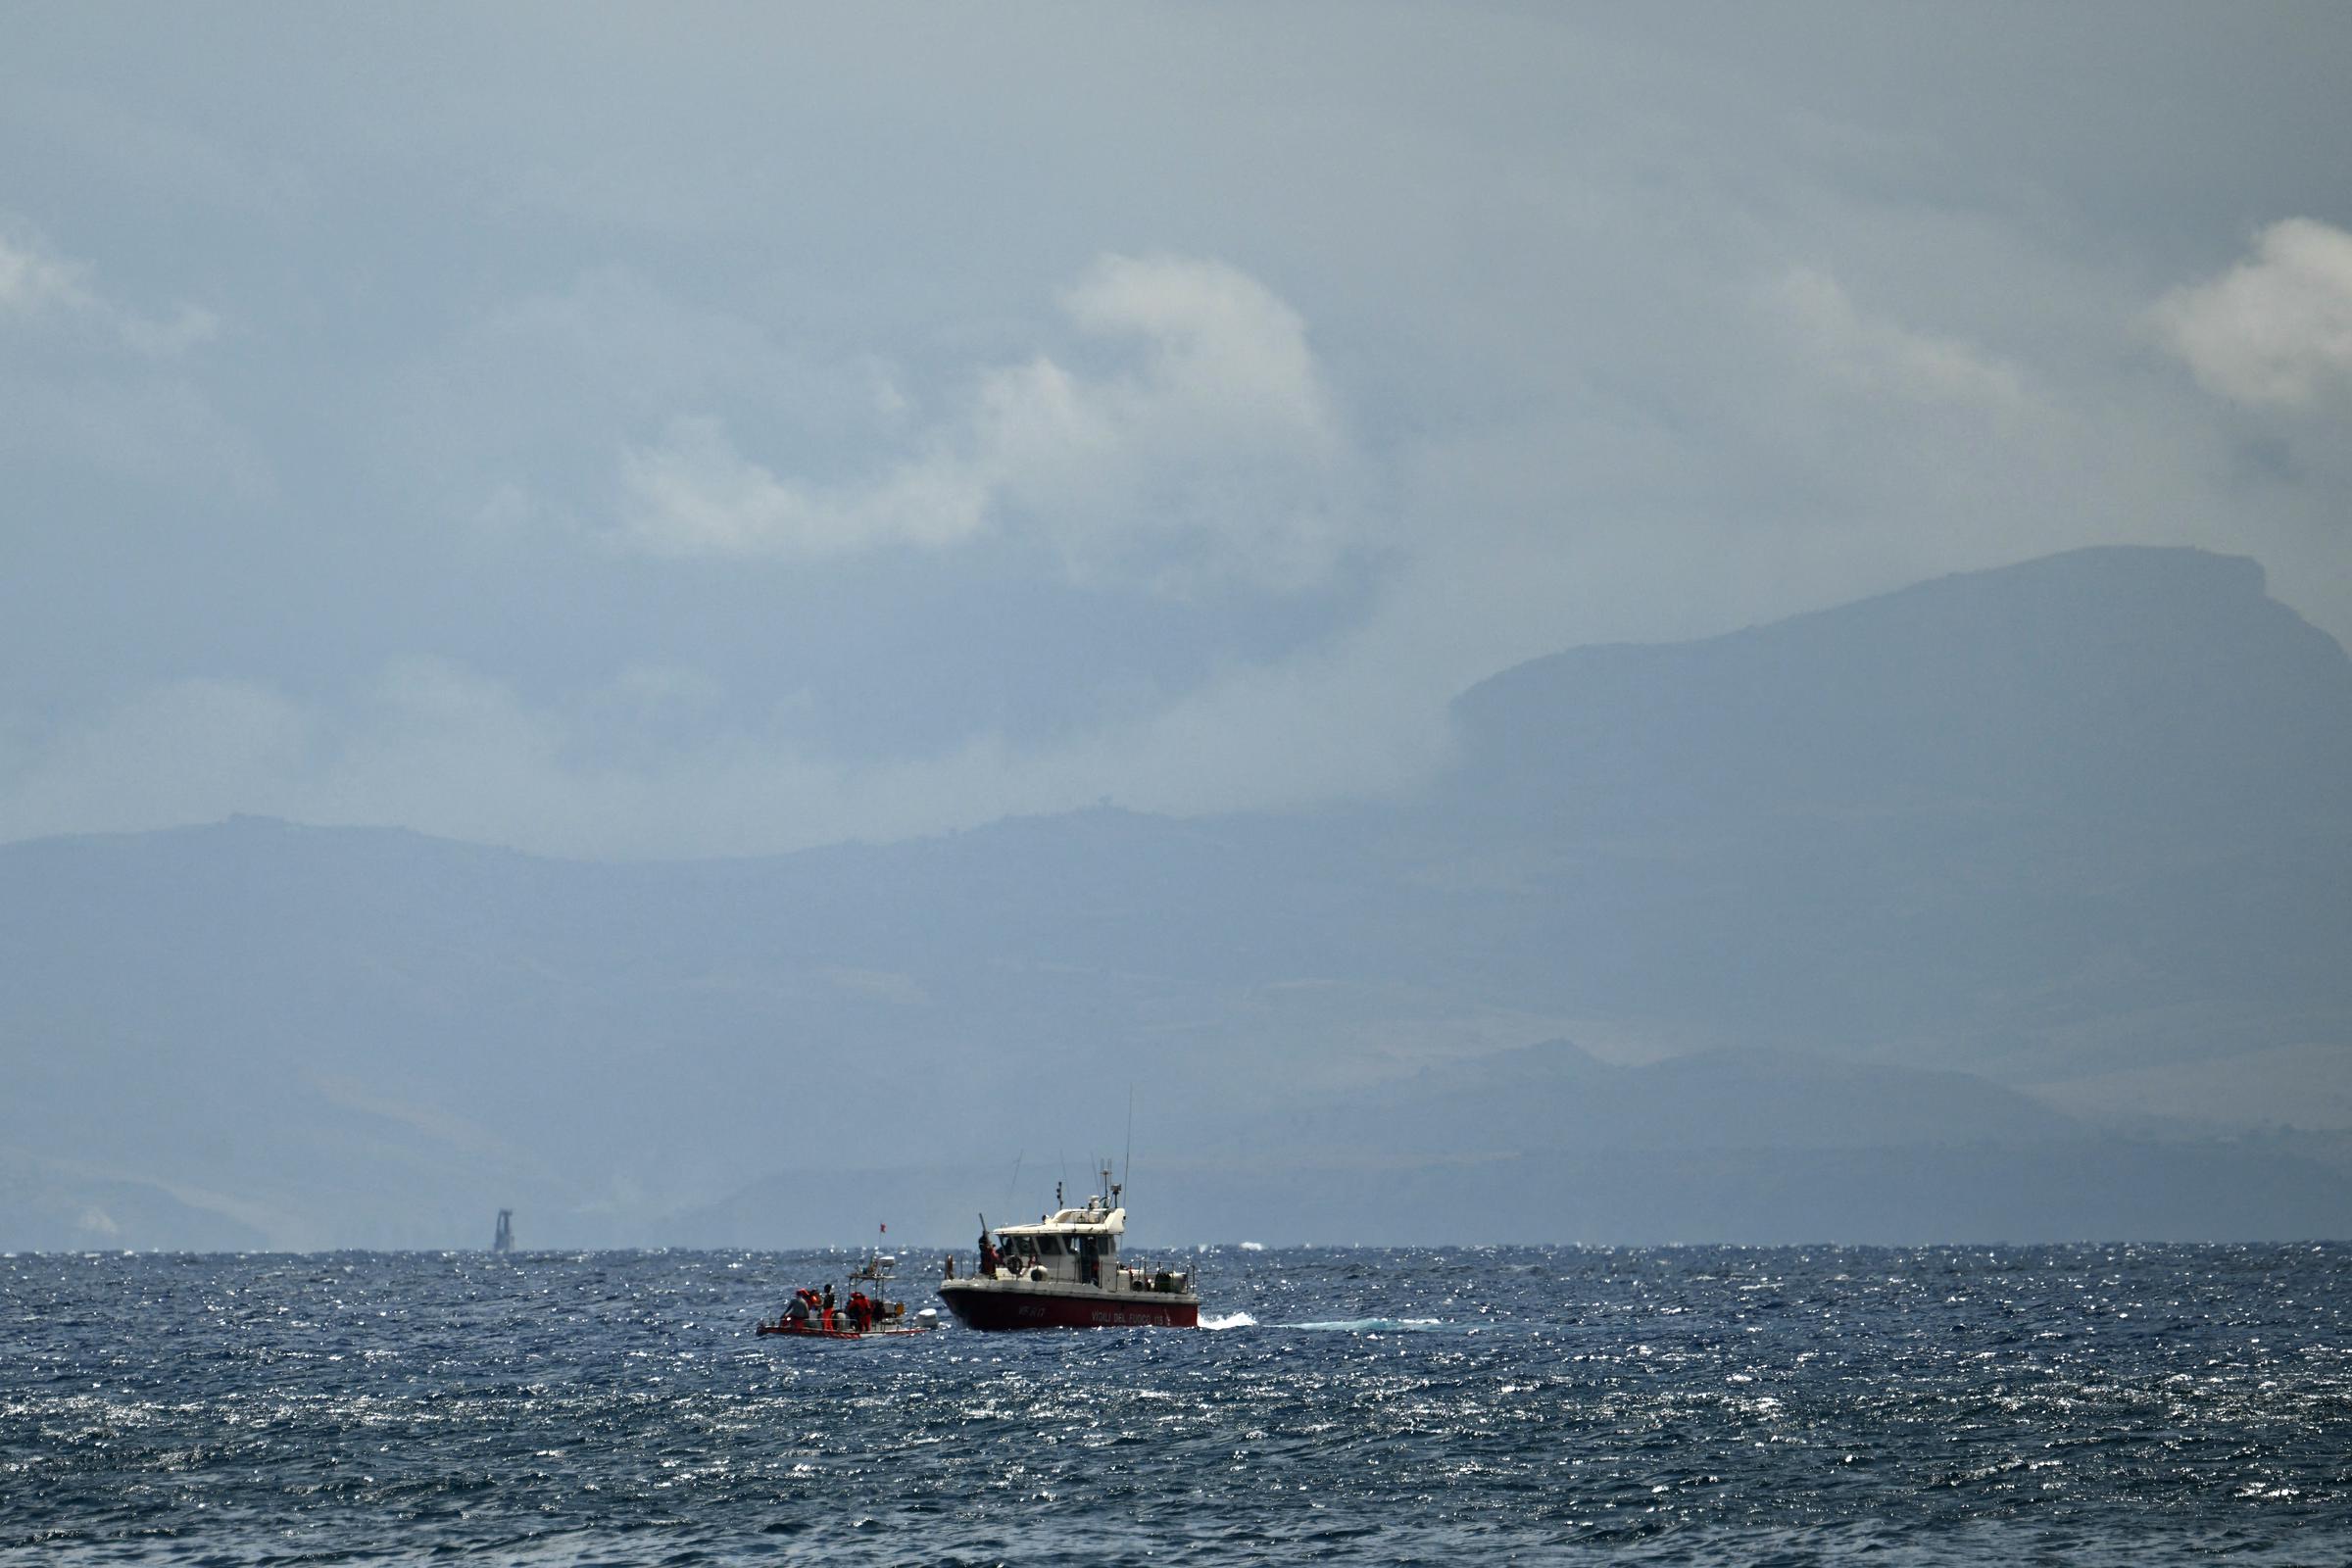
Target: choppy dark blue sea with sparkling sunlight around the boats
{"points": [[1690, 1405]]}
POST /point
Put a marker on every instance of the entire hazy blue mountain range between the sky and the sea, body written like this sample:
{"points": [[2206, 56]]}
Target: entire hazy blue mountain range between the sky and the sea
{"points": [[1935, 916]]}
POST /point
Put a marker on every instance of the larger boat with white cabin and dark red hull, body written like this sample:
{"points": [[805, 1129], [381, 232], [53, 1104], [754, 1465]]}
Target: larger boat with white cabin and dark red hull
{"points": [[1067, 1273]]}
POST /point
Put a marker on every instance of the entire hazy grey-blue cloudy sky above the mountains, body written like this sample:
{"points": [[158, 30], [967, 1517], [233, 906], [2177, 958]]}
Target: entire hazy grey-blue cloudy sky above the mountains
{"points": [[702, 431]]}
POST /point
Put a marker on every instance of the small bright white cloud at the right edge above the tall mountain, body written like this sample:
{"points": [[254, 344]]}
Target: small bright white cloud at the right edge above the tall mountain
{"points": [[2273, 330]]}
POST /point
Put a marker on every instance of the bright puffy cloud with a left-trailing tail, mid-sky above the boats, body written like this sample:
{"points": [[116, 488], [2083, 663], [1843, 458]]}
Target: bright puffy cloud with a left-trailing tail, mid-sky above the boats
{"points": [[1205, 455]]}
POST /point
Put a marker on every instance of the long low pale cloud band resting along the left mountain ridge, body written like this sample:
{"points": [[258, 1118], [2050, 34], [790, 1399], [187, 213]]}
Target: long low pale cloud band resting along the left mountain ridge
{"points": [[650, 765]]}
